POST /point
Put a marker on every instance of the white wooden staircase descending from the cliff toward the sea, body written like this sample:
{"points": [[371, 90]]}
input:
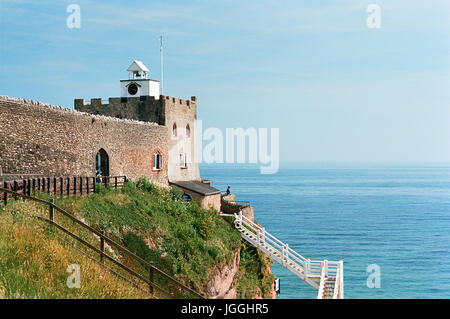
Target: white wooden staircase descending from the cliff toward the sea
{"points": [[326, 276]]}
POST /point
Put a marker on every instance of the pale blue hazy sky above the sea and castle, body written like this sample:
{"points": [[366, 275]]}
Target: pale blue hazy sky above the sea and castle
{"points": [[336, 89]]}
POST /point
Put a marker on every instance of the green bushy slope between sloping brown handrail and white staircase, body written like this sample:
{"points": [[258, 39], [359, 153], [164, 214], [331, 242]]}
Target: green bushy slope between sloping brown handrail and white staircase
{"points": [[182, 239]]}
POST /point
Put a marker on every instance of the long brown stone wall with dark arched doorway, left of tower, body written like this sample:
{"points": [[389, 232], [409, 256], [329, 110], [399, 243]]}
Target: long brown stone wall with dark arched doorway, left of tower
{"points": [[37, 138]]}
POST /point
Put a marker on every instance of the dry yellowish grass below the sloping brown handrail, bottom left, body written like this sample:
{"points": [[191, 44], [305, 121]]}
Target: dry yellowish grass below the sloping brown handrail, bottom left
{"points": [[33, 262]]}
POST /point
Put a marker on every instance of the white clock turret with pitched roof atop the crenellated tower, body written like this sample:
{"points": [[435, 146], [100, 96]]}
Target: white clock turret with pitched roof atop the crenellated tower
{"points": [[138, 83]]}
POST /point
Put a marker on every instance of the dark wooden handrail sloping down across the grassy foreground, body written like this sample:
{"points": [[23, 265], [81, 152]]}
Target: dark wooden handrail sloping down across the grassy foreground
{"points": [[152, 270]]}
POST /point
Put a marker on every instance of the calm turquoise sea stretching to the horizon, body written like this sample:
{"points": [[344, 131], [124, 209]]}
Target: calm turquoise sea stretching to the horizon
{"points": [[395, 217]]}
